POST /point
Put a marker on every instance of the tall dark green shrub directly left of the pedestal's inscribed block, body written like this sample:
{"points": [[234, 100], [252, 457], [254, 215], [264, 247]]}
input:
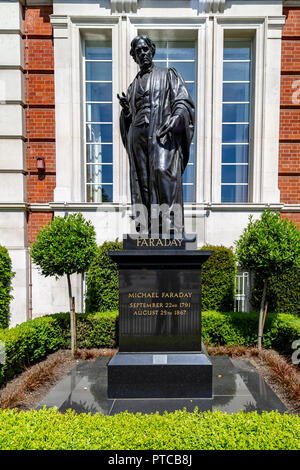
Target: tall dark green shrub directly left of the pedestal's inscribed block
{"points": [[103, 280]]}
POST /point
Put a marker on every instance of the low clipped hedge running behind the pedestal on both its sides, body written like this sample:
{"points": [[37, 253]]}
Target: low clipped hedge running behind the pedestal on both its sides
{"points": [[32, 341]]}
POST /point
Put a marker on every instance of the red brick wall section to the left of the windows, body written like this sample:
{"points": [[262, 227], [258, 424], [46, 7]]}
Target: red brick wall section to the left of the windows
{"points": [[40, 112]]}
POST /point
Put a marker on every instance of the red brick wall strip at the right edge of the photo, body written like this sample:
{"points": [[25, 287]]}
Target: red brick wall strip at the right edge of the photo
{"points": [[289, 146]]}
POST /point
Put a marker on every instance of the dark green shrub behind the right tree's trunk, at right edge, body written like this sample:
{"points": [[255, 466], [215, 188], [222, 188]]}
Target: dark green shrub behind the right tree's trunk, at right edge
{"points": [[283, 292]]}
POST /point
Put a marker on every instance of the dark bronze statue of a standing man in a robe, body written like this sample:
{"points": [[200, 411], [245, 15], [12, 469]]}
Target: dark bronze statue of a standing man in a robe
{"points": [[157, 126]]}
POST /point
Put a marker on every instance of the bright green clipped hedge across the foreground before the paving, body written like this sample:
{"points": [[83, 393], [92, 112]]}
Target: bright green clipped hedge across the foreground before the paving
{"points": [[51, 430]]}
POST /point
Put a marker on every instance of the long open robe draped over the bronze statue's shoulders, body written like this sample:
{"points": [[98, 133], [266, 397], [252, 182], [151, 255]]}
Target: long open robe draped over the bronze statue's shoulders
{"points": [[167, 157]]}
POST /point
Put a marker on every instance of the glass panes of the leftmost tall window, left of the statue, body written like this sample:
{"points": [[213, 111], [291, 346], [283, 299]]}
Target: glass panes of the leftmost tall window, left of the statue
{"points": [[99, 127]]}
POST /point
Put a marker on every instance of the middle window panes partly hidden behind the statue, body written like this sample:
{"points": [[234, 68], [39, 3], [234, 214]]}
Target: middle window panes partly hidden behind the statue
{"points": [[182, 56]]}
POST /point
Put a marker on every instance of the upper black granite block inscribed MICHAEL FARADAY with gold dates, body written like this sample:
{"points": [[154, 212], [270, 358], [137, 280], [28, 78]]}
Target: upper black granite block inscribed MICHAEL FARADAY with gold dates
{"points": [[160, 300]]}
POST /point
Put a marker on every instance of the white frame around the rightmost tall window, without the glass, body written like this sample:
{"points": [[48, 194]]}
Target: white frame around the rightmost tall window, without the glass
{"points": [[239, 29]]}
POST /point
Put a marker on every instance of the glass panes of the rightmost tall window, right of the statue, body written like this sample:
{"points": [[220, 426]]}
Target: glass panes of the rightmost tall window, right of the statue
{"points": [[236, 120]]}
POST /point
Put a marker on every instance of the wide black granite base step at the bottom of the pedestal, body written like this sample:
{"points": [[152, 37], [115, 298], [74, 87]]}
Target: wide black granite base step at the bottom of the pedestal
{"points": [[142, 375]]}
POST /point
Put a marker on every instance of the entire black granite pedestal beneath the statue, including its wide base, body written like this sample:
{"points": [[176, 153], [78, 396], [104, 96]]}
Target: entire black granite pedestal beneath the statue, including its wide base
{"points": [[160, 352]]}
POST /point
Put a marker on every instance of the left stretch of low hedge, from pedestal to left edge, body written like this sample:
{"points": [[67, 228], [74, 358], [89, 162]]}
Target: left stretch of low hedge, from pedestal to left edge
{"points": [[30, 342]]}
